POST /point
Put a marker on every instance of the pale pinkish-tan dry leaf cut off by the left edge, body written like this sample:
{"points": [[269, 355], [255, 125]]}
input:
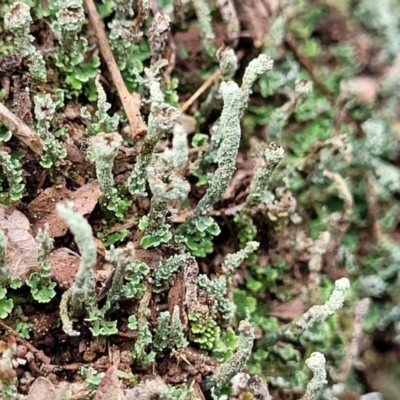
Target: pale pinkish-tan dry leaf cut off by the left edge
{"points": [[22, 249]]}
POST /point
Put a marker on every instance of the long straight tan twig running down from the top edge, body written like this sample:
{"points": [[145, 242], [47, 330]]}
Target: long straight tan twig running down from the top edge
{"points": [[129, 102]]}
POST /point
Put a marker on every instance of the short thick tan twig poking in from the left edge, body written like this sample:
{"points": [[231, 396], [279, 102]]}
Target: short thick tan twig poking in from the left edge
{"points": [[21, 131]]}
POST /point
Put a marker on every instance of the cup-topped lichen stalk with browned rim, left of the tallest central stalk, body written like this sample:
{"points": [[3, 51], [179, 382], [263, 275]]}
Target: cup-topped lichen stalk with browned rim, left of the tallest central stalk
{"points": [[166, 187]]}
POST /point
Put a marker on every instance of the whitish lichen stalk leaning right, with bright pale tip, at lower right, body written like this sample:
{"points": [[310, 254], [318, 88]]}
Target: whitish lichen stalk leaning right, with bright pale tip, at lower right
{"points": [[315, 314]]}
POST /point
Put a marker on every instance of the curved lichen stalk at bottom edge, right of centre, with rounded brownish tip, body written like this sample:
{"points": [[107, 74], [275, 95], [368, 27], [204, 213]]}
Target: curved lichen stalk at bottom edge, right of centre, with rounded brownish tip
{"points": [[238, 361]]}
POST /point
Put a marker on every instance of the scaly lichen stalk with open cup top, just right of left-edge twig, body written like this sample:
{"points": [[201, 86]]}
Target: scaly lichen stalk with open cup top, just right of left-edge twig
{"points": [[45, 109]]}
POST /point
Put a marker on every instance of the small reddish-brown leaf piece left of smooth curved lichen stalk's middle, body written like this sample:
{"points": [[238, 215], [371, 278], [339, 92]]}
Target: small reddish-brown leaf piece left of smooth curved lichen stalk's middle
{"points": [[64, 266]]}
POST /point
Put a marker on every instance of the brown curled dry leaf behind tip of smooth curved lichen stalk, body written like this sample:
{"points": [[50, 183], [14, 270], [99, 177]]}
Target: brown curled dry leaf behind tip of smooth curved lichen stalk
{"points": [[42, 210]]}
